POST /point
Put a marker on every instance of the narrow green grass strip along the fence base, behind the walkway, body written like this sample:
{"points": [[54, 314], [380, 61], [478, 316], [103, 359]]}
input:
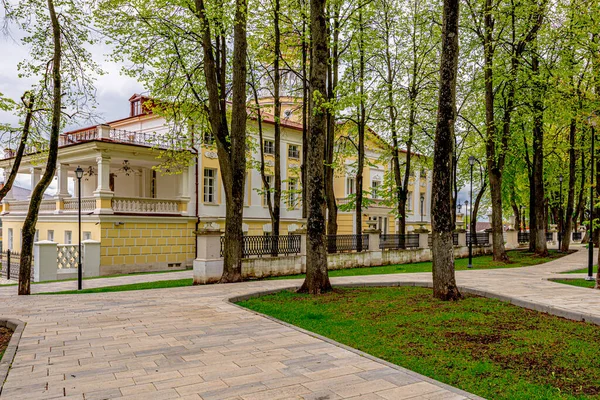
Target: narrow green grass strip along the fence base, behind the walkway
{"points": [[518, 258]]}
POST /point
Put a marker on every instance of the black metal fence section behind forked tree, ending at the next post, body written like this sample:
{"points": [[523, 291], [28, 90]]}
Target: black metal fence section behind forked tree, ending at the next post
{"points": [[268, 245]]}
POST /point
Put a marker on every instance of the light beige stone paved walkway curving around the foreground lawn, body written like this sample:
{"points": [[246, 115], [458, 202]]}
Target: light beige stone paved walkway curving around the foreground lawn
{"points": [[192, 343]]}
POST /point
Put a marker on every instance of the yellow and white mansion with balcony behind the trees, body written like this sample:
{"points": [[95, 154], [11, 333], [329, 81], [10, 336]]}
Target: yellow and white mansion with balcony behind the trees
{"points": [[146, 220]]}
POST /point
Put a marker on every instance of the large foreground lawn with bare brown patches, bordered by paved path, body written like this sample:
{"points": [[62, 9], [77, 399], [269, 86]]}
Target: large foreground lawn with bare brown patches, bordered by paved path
{"points": [[484, 346]]}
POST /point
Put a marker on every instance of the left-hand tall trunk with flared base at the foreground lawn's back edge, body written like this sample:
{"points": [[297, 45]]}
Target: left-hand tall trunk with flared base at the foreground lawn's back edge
{"points": [[317, 278]]}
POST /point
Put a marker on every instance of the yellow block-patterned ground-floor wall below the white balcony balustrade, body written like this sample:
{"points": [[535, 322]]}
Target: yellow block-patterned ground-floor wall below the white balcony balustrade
{"points": [[147, 243]]}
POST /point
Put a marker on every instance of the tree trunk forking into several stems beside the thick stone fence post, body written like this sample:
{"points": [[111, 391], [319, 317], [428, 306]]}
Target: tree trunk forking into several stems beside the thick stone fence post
{"points": [[231, 145]]}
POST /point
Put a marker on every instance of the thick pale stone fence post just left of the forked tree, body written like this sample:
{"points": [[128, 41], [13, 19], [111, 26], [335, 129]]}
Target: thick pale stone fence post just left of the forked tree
{"points": [[208, 266]]}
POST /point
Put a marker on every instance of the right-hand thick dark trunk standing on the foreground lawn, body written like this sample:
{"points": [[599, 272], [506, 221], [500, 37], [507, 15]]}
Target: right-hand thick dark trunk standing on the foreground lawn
{"points": [[444, 282]]}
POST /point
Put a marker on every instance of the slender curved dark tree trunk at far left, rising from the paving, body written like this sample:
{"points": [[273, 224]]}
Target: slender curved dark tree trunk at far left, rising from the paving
{"points": [[37, 193]]}
